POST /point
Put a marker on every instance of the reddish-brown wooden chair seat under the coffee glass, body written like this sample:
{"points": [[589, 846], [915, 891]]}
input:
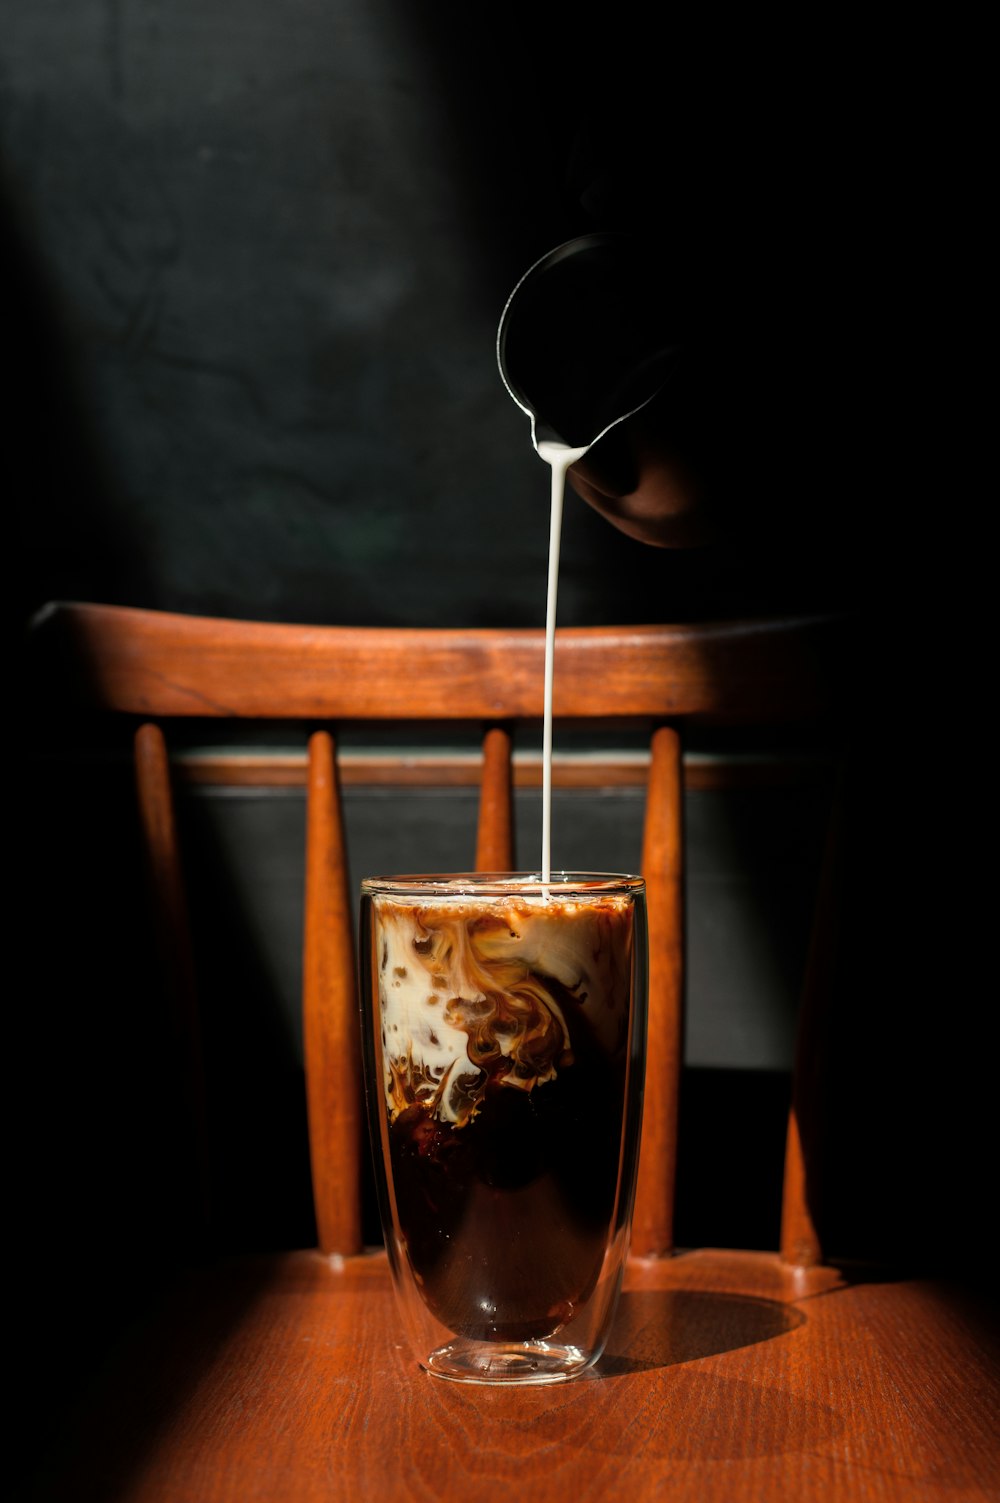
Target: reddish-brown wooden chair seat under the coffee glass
{"points": [[727, 1377]]}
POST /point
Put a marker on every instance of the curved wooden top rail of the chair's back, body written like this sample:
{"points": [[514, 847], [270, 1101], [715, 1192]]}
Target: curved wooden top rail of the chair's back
{"points": [[157, 664]]}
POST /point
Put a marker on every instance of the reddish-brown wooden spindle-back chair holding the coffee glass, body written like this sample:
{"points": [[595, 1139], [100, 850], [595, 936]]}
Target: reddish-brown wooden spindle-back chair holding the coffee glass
{"points": [[730, 1374]]}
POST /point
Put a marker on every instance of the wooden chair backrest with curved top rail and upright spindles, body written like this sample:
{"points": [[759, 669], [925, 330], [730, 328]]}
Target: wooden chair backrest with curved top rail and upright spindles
{"points": [[159, 668]]}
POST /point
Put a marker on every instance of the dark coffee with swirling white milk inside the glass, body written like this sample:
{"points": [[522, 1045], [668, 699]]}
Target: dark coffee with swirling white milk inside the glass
{"points": [[506, 1051]]}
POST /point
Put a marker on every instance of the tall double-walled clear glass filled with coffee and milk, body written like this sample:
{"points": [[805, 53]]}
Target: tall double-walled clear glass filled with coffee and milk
{"points": [[505, 1042]]}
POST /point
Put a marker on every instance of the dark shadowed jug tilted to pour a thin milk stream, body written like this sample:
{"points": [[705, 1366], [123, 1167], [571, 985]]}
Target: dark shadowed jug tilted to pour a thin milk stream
{"points": [[590, 348]]}
